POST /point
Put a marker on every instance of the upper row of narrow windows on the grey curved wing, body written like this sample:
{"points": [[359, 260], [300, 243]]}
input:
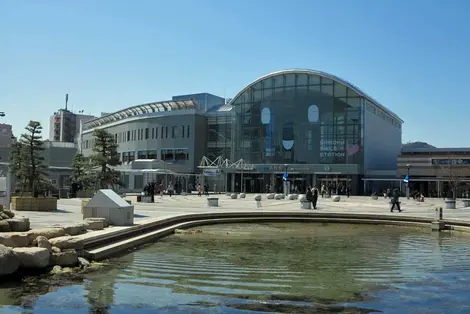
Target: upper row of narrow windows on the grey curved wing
{"points": [[176, 131]]}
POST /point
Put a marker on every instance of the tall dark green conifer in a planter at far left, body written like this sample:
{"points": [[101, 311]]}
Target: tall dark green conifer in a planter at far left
{"points": [[27, 160]]}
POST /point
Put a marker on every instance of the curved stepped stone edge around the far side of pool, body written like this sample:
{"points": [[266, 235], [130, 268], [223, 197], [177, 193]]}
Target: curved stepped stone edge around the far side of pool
{"points": [[115, 242]]}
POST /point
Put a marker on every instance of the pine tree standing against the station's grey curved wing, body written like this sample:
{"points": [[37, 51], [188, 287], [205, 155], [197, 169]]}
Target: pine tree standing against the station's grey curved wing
{"points": [[104, 157]]}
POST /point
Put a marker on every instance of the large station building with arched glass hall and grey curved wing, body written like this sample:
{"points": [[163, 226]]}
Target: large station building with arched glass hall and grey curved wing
{"points": [[315, 126]]}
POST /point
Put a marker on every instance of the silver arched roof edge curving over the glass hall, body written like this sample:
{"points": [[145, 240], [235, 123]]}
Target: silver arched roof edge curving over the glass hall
{"points": [[321, 74]]}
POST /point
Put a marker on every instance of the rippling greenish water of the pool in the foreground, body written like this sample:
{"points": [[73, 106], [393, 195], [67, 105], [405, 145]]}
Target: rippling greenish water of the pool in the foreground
{"points": [[268, 268]]}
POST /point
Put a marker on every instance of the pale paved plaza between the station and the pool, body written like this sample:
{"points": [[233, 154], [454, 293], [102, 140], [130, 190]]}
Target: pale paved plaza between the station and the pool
{"points": [[70, 209]]}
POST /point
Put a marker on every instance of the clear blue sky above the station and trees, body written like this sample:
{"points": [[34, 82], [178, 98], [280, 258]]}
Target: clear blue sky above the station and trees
{"points": [[411, 55]]}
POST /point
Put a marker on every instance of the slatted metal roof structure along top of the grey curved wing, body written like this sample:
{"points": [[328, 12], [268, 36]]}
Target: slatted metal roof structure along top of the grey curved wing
{"points": [[139, 110]]}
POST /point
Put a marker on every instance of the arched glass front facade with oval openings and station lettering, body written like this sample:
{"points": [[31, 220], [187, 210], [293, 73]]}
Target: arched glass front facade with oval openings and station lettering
{"points": [[298, 118]]}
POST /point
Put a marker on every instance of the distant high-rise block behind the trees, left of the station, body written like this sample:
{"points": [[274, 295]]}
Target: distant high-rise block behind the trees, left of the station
{"points": [[65, 125]]}
